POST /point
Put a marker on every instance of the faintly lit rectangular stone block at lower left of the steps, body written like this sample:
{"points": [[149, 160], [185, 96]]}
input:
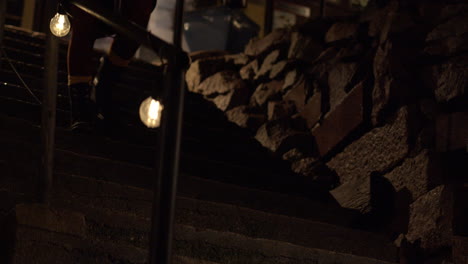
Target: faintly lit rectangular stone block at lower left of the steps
{"points": [[40, 216]]}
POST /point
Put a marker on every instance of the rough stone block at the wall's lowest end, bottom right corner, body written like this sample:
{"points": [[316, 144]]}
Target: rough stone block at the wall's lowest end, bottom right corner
{"points": [[431, 219]]}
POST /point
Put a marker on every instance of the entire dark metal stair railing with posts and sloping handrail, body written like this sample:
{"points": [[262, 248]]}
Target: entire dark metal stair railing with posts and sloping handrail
{"points": [[168, 154]]}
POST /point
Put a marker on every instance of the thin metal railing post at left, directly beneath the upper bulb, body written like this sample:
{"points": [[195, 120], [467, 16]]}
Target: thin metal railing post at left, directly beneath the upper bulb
{"points": [[49, 103]]}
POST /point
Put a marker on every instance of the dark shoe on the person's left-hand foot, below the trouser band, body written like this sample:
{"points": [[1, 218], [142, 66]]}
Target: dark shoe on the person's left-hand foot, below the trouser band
{"points": [[83, 109]]}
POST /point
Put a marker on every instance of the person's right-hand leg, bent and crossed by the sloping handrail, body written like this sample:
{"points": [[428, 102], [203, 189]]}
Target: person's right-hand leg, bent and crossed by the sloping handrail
{"points": [[122, 50]]}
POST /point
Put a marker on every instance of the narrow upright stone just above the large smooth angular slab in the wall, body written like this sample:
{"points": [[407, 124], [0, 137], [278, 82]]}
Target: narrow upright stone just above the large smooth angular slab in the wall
{"points": [[338, 79]]}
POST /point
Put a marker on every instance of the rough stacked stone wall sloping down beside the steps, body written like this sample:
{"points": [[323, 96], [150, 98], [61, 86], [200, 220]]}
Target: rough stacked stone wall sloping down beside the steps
{"points": [[380, 100]]}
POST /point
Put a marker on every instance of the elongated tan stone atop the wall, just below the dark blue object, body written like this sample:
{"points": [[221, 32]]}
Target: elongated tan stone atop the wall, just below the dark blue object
{"points": [[279, 38]]}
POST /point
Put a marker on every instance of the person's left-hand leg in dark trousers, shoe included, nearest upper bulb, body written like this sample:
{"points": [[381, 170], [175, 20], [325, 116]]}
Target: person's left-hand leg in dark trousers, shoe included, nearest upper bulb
{"points": [[80, 68]]}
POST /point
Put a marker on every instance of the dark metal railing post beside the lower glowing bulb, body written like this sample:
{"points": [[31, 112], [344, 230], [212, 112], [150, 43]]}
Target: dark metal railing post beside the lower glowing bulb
{"points": [[168, 154]]}
